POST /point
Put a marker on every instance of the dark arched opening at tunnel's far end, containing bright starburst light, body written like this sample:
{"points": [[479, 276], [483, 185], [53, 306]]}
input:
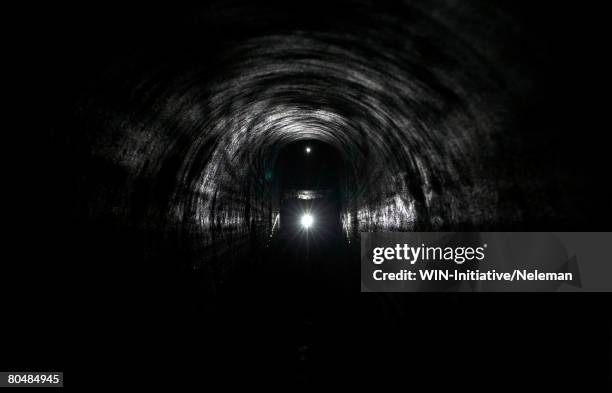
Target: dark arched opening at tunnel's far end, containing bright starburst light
{"points": [[308, 243]]}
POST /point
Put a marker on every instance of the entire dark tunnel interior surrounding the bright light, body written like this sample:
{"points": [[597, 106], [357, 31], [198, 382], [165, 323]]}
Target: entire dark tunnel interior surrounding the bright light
{"points": [[217, 163]]}
